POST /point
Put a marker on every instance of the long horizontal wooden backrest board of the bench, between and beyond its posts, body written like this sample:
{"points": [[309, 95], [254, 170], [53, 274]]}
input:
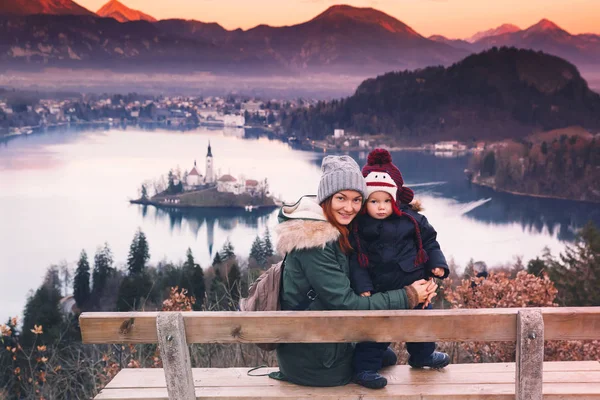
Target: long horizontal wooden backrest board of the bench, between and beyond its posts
{"points": [[458, 325]]}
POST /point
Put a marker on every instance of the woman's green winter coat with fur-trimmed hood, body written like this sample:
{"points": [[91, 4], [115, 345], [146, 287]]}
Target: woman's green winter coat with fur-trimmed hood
{"points": [[315, 261]]}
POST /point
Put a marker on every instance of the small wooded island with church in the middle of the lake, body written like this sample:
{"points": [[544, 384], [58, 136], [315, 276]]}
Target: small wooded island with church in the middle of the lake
{"points": [[194, 190]]}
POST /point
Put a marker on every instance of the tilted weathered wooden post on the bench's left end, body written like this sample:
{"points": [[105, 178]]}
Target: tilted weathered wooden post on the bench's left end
{"points": [[175, 356]]}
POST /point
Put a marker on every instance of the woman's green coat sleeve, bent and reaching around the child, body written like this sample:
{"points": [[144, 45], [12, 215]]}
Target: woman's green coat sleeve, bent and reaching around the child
{"points": [[332, 284]]}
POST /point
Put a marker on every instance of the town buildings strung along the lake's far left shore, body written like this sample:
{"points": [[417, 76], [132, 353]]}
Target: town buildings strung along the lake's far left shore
{"points": [[18, 116]]}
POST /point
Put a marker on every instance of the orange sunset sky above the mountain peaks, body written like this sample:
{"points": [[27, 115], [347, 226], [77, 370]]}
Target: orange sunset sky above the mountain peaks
{"points": [[451, 18]]}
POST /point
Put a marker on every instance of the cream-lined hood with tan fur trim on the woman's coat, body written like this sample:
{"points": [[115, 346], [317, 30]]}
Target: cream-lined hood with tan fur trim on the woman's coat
{"points": [[303, 226]]}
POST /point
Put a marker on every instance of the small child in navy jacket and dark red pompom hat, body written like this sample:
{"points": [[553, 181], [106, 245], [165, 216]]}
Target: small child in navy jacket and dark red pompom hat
{"points": [[394, 247]]}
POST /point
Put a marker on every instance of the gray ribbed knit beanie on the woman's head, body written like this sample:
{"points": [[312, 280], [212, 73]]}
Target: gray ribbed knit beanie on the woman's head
{"points": [[340, 173]]}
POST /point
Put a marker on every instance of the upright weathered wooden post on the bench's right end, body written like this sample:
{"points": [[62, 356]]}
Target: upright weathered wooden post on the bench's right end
{"points": [[530, 355]]}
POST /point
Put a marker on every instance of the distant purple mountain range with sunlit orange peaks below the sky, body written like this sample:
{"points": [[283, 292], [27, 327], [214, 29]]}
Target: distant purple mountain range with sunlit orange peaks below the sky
{"points": [[342, 39]]}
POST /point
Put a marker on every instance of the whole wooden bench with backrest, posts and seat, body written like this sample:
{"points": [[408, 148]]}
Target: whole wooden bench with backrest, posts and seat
{"points": [[528, 378]]}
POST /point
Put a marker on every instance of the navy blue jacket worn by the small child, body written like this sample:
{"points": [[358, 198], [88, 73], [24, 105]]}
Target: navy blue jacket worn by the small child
{"points": [[391, 247]]}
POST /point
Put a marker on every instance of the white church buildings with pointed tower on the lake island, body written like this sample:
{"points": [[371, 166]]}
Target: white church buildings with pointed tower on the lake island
{"points": [[194, 180]]}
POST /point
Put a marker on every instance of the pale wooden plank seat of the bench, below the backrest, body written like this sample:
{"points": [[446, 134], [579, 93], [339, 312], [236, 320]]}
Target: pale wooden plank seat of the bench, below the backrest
{"points": [[472, 381]]}
